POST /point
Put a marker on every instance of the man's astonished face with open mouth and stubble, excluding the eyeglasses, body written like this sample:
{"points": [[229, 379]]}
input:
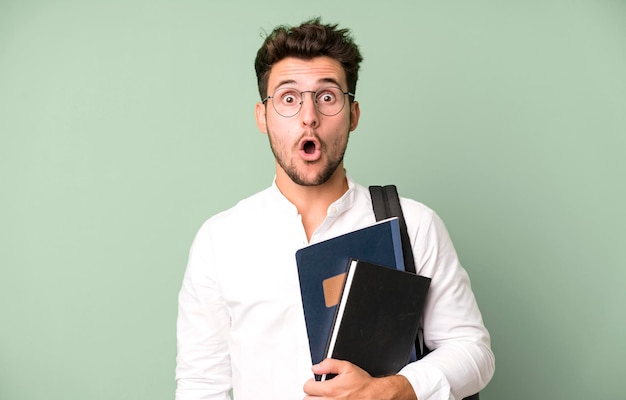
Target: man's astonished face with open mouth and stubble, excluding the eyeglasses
{"points": [[308, 146]]}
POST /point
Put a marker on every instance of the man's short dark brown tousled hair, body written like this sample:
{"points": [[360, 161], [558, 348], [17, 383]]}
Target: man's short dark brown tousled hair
{"points": [[310, 39]]}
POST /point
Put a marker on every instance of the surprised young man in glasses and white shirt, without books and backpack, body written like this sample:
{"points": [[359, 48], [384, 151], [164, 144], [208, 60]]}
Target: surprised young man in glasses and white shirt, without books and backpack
{"points": [[241, 324]]}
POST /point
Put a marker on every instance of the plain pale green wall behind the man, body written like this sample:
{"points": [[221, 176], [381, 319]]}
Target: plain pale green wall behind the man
{"points": [[125, 124]]}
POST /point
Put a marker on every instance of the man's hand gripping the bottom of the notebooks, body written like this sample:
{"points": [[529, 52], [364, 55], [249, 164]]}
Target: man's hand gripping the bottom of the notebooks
{"points": [[352, 383]]}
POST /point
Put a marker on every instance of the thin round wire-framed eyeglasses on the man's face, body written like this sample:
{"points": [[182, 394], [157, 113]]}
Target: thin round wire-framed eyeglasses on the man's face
{"points": [[328, 101]]}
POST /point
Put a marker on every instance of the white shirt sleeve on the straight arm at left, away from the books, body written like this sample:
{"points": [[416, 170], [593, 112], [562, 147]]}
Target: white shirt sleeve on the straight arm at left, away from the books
{"points": [[203, 370]]}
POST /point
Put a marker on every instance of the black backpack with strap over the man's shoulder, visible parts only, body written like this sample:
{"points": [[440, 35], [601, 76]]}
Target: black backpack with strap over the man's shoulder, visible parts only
{"points": [[386, 204]]}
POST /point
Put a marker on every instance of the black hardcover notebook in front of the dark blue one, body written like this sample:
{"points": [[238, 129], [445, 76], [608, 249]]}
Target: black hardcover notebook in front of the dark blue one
{"points": [[377, 318]]}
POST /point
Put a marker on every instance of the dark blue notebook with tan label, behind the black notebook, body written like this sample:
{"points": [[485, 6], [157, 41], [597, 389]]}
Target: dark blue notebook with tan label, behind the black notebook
{"points": [[322, 267]]}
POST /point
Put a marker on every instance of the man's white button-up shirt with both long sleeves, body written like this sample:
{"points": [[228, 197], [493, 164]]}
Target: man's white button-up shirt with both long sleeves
{"points": [[241, 324]]}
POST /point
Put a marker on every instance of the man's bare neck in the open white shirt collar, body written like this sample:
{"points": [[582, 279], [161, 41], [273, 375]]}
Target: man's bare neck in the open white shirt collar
{"points": [[312, 202]]}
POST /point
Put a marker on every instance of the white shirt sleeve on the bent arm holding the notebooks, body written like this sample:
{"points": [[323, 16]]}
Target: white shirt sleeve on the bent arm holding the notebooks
{"points": [[461, 362]]}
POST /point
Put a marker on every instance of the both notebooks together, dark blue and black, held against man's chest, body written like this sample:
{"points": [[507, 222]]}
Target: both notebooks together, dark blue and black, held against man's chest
{"points": [[360, 305]]}
